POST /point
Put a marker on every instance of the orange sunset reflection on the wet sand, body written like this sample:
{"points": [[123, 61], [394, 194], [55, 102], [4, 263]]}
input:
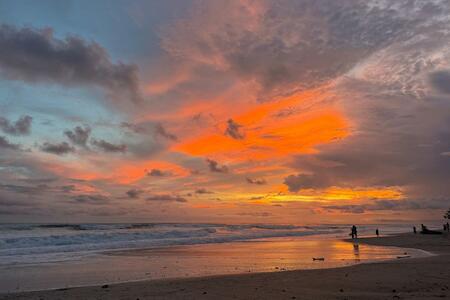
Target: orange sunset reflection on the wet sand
{"points": [[270, 255]]}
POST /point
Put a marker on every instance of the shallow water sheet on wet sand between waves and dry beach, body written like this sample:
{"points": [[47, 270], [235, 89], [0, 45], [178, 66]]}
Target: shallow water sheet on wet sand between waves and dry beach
{"points": [[268, 255]]}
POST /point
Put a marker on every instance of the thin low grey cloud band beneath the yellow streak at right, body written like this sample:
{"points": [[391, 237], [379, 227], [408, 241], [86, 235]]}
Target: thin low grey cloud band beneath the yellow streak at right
{"points": [[391, 205]]}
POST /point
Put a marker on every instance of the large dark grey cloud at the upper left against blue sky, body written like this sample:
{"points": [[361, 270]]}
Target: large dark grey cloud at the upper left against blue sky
{"points": [[35, 55]]}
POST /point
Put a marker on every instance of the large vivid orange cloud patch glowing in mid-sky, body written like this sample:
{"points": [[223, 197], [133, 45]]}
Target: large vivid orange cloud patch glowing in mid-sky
{"points": [[268, 133]]}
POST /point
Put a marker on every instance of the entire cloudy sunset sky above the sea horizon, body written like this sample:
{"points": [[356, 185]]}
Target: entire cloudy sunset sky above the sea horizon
{"points": [[245, 111]]}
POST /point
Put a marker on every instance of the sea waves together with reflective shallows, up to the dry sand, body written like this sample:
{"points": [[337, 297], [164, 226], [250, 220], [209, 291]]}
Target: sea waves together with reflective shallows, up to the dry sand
{"points": [[43, 256]]}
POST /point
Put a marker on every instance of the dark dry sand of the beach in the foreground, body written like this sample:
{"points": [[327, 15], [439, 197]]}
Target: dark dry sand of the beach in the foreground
{"points": [[416, 278]]}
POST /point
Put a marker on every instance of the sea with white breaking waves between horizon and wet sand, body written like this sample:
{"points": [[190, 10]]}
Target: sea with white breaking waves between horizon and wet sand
{"points": [[43, 243]]}
